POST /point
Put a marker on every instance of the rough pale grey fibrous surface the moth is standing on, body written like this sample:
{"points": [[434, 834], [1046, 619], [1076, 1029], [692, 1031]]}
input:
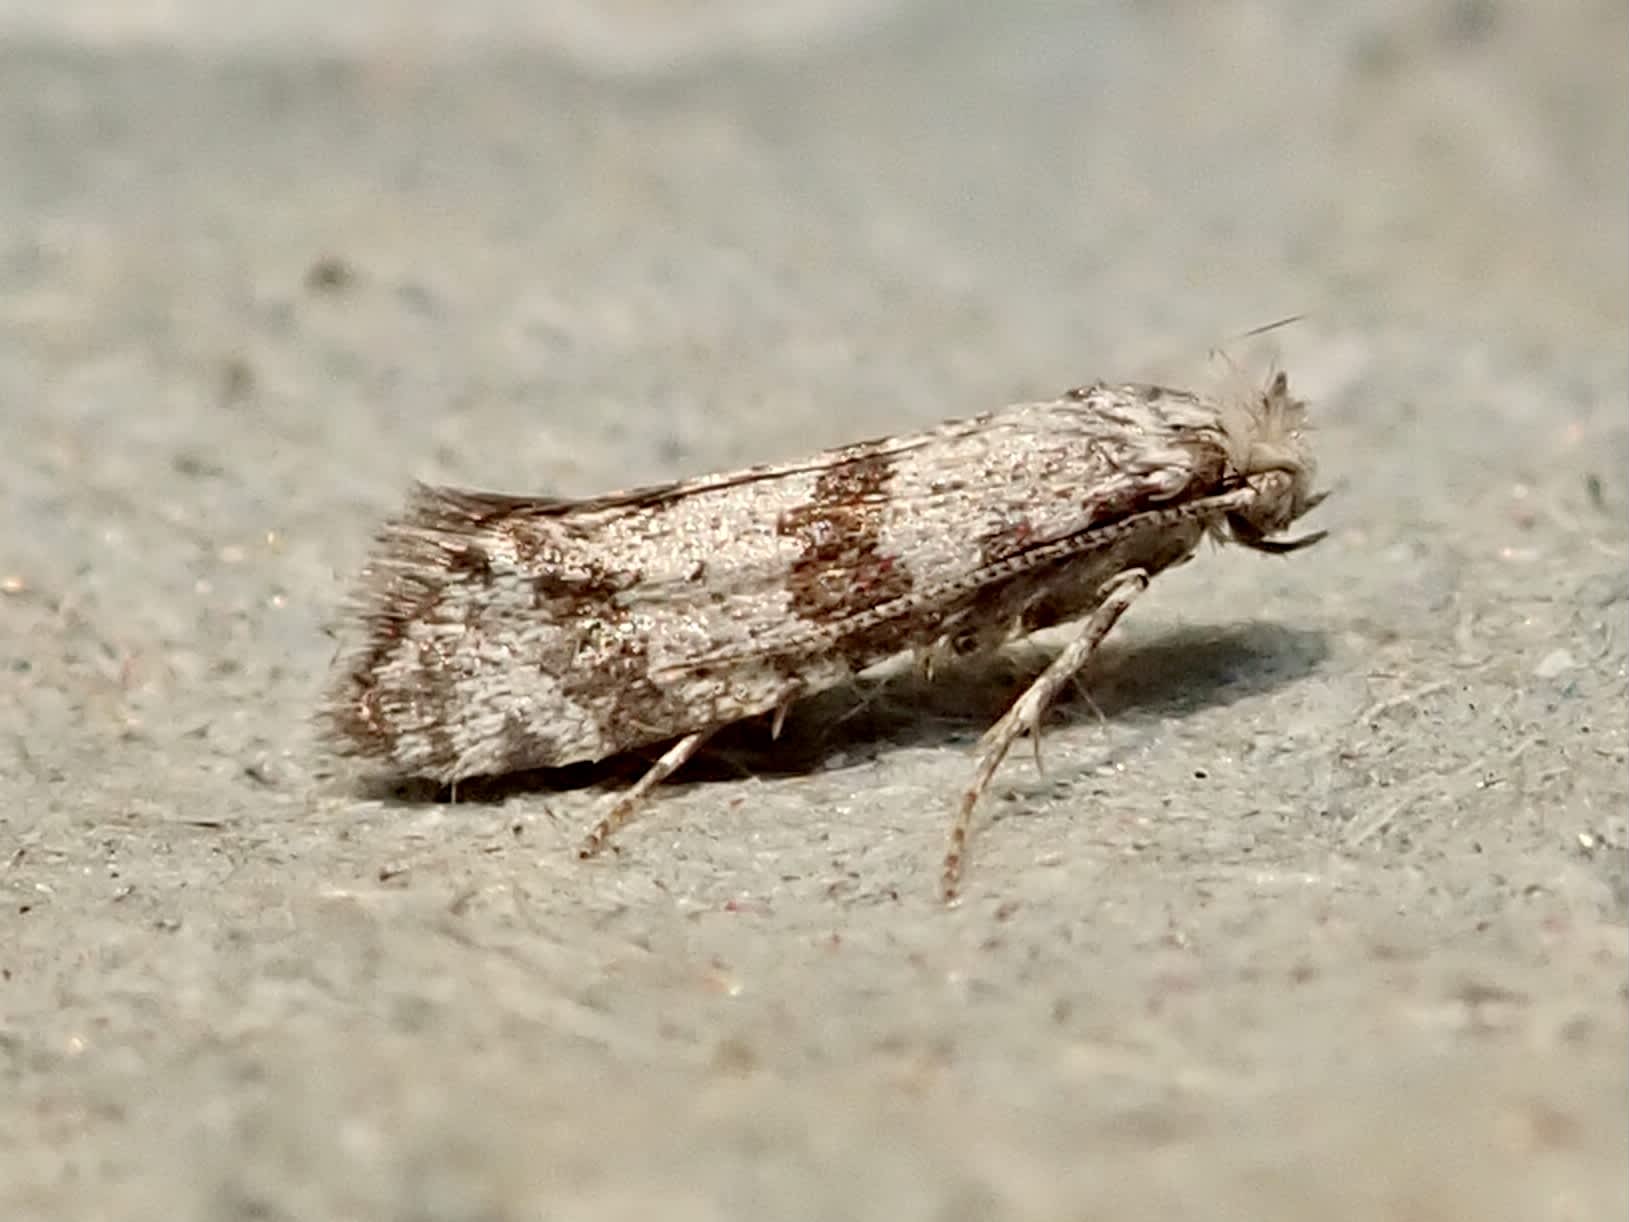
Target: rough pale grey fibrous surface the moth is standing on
{"points": [[1327, 918]]}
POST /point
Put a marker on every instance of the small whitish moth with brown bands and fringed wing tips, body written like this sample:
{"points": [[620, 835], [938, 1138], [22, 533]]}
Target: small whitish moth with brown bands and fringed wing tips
{"points": [[504, 633]]}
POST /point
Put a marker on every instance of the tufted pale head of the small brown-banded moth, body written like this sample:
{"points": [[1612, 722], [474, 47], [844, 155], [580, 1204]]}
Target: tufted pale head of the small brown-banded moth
{"points": [[1273, 462]]}
